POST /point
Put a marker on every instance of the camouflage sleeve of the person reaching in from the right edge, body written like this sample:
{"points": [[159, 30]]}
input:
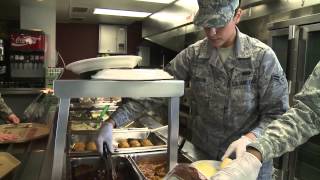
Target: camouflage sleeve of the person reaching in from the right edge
{"points": [[297, 125]]}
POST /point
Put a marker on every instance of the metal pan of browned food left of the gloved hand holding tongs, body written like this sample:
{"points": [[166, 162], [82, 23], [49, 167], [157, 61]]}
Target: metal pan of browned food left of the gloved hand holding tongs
{"points": [[79, 144]]}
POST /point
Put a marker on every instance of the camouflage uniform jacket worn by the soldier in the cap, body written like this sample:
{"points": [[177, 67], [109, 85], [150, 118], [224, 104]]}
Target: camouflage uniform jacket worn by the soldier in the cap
{"points": [[227, 100]]}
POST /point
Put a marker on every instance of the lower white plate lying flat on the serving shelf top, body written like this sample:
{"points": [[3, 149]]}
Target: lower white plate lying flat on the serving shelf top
{"points": [[132, 74]]}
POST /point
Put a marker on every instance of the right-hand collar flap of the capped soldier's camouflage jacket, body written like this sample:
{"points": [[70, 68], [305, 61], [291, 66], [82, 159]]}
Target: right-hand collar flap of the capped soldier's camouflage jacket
{"points": [[242, 45]]}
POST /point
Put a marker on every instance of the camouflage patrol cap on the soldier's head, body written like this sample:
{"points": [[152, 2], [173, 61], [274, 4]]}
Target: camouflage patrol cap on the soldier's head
{"points": [[215, 13]]}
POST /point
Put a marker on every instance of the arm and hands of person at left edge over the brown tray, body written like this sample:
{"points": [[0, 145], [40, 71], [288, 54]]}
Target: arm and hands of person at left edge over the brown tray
{"points": [[6, 114]]}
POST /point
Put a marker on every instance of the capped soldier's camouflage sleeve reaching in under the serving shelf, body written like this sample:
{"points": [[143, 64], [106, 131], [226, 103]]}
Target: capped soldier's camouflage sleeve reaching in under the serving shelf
{"points": [[134, 108]]}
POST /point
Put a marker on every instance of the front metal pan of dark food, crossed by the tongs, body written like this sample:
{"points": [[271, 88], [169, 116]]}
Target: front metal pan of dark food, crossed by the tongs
{"points": [[95, 168]]}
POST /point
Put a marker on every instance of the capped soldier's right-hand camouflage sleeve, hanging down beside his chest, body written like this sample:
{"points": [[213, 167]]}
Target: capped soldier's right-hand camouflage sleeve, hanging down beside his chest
{"points": [[272, 89]]}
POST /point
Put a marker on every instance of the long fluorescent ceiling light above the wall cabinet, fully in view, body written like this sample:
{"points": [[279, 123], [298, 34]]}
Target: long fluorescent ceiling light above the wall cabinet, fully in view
{"points": [[113, 12]]}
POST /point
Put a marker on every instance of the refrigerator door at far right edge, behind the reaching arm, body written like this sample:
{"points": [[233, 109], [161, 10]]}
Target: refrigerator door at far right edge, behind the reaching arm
{"points": [[308, 155]]}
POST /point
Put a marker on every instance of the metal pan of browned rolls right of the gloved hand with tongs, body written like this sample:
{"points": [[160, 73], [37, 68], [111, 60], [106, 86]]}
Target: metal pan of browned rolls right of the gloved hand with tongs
{"points": [[158, 142]]}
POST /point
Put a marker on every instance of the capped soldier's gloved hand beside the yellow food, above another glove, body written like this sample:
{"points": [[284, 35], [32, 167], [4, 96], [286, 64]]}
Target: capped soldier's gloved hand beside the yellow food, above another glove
{"points": [[239, 146]]}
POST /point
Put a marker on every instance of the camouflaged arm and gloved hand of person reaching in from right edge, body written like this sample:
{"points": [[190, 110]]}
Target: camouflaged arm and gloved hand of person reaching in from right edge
{"points": [[294, 128]]}
